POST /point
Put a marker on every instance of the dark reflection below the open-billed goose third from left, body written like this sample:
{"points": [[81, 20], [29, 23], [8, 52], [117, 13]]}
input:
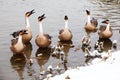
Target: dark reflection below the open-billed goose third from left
{"points": [[42, 56]]}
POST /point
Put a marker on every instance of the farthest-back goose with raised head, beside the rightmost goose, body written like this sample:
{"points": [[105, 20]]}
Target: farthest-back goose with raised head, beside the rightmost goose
{"points": [[91, 25]]}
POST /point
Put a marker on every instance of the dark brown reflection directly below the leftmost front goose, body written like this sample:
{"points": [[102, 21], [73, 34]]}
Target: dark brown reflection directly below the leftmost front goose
{"points": [[18, 62]]}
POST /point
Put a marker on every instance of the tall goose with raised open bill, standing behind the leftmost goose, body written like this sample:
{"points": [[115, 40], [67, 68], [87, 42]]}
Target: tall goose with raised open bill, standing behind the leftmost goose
{"points": [[26, 37]]}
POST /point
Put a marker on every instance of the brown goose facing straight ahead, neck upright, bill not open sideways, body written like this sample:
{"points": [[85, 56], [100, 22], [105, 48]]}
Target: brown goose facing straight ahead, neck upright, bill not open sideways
{"points": [[65, 34]]}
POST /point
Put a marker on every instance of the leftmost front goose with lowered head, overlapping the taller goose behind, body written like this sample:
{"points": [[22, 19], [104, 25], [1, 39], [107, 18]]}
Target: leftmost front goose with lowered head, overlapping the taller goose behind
{"points": [[17, 45]]}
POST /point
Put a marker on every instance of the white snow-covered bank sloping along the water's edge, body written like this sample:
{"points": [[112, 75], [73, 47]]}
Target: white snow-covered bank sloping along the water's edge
{"points": [[98, 69]]}
